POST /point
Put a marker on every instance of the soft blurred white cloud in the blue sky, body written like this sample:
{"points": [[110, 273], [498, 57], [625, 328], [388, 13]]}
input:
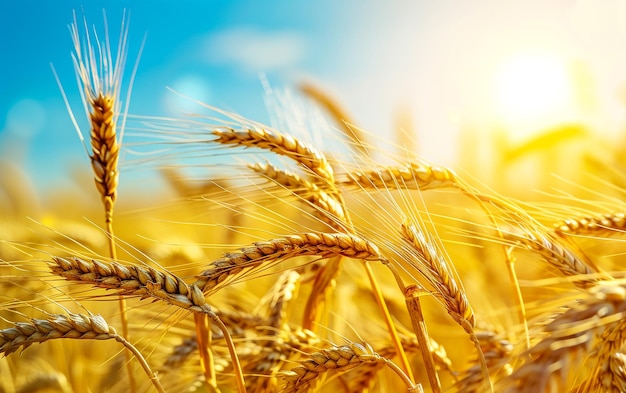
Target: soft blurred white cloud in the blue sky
{"points": [[255, 50]]}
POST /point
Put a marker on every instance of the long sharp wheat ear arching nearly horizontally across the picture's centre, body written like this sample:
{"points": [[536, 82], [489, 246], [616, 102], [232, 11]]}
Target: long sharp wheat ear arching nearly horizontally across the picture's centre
{"points": [[323, 245]]}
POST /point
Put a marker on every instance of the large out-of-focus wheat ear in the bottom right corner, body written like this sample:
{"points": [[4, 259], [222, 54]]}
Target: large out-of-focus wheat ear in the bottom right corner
{"points": [[591, 327]]}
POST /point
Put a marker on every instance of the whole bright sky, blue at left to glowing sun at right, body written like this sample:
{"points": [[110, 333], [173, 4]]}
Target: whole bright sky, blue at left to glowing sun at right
{"points": [[464, 79]]}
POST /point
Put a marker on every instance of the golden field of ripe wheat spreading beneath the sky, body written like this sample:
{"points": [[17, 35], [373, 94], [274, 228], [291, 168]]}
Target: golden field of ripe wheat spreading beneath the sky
{"points": [[306, 258]]}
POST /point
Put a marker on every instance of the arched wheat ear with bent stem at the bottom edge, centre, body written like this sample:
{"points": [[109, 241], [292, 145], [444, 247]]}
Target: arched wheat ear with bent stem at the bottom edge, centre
{"points": [[339, 358]]}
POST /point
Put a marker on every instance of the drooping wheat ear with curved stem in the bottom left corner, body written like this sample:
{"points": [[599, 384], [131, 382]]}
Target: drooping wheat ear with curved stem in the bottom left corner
{"points": [[76, 326]]}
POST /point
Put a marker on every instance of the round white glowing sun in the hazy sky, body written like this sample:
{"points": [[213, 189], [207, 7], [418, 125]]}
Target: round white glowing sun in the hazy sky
{"points": [[532, 91]]}
